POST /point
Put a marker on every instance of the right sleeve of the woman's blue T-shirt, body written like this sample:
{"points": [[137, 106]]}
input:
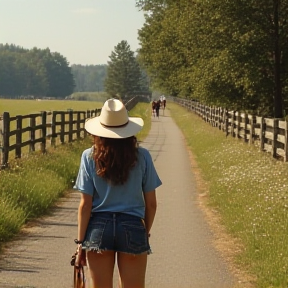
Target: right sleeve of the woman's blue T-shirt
{"points": [[151, 179]]}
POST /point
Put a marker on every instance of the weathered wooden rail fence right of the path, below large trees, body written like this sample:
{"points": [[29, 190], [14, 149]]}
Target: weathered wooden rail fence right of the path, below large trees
{"points": [[269, 134]]}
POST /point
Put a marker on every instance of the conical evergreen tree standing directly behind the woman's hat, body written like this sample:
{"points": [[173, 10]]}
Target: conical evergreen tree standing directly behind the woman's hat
{"points": [[123, 72]]}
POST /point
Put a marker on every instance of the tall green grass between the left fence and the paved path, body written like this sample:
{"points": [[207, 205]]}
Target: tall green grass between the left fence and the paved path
{"points": [[31, 186]]}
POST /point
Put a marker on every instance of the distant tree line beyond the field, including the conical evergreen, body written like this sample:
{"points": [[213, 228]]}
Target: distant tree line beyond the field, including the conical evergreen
{"points": [[42, 73]]}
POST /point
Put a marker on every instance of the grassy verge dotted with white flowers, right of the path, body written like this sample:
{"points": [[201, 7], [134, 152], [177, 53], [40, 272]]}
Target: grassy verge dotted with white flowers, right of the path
{"points": [[249, 189]]}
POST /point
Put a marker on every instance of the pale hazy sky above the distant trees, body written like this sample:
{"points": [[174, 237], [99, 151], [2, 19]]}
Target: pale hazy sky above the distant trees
{"points": [[83, 31]]}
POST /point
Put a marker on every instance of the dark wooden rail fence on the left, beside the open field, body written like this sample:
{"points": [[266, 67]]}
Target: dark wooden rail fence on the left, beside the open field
{"points": [[39, 130]]}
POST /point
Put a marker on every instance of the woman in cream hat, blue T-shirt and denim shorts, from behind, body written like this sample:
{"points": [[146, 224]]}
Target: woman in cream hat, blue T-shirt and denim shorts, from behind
{"points": [[117, 180]]}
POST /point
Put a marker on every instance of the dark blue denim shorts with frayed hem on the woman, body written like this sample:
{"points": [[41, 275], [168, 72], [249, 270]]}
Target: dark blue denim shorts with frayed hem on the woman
{"points": [[118, 232]]}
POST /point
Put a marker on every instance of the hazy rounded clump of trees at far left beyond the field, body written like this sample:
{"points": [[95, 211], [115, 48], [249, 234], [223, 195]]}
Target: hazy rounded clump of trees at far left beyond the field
{"points": [[34, 72]]}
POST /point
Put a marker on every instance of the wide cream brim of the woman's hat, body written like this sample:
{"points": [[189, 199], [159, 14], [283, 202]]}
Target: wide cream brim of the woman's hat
{"points": [[94, 127]]}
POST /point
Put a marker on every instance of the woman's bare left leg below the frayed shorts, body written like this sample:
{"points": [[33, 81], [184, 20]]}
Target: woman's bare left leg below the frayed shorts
{"points": [[101, 268]]}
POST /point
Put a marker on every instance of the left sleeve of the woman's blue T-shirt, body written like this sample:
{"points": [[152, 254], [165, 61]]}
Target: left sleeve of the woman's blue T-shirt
{"points": [[84, 181]]}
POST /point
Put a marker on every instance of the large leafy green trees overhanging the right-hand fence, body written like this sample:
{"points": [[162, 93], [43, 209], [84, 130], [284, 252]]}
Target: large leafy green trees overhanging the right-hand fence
{"points": [[228, 53]]}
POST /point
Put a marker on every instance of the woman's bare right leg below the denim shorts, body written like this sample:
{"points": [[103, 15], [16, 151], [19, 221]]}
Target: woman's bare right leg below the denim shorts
{"points": [[132, 269]]}
